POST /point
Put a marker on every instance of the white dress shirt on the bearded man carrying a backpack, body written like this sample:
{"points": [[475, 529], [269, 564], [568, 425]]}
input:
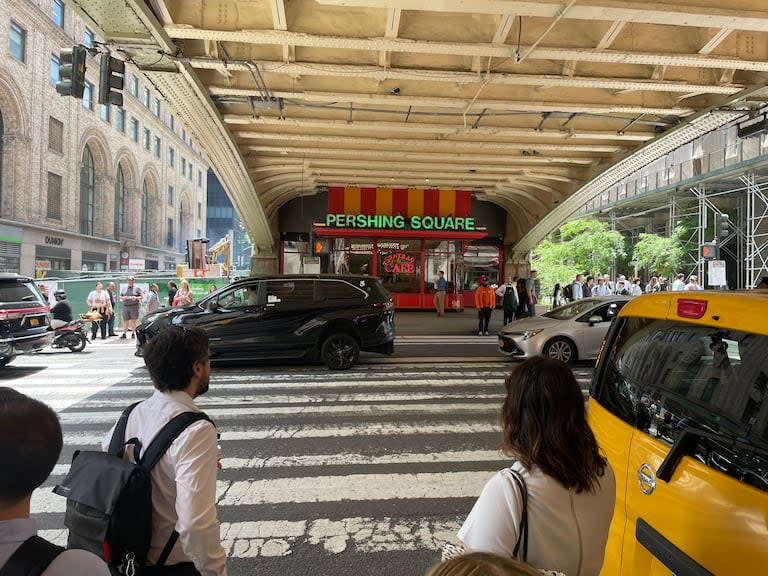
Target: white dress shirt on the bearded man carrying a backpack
{"points": [[183, 483]]}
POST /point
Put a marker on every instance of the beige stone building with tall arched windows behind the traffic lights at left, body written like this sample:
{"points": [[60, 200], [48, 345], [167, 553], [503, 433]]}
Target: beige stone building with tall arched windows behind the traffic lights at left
{"points": [[83, 185]]}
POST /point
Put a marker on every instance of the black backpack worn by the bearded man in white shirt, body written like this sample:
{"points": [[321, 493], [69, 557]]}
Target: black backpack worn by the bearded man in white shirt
{"points": [[109, 500]]}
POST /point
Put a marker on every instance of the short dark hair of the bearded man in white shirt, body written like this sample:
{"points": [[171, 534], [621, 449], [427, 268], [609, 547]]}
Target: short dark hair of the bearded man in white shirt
{"points": [[170, 354]]}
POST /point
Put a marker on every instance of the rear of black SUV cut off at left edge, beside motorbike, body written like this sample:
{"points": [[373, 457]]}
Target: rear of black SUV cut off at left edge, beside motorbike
{"points": [[24, 317]]}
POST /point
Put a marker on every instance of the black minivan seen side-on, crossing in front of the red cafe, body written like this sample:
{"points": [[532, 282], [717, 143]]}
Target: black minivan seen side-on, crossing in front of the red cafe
{"points": [[288, 317]]}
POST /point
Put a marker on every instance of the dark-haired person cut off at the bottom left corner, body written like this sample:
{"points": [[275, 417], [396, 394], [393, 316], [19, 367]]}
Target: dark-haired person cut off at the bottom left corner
{"points": [[30, 444]]}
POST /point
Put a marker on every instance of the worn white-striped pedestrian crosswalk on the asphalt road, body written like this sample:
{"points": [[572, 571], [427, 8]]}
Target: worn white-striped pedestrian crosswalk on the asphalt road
{"points": [[367, 471]]}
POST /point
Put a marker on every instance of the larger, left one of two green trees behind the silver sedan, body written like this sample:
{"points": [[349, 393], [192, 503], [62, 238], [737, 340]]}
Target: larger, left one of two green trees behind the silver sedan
{"points": [[579, 246]]}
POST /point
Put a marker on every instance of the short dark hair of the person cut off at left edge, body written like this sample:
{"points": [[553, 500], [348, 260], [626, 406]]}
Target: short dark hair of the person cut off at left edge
{"points": [[30, 444]]}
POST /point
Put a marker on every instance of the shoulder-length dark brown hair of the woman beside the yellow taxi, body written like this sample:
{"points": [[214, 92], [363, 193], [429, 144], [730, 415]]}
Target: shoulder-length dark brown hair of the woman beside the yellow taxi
{"points": [[544, 424]]}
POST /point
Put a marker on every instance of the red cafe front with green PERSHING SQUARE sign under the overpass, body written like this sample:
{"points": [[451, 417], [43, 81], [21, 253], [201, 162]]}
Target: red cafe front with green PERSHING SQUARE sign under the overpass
{"points": [[401, 235]]}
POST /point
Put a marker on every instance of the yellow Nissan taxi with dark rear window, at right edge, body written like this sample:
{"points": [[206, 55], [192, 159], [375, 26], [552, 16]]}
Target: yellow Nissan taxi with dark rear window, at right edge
{"points": [[679, 405]]}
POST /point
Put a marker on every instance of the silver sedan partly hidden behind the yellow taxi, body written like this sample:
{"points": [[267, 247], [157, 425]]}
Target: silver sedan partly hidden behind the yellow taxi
{"points": [[569, 333]]}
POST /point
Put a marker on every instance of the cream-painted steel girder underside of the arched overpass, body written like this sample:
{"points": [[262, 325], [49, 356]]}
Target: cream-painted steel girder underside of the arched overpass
{"points": [[525, 103]]}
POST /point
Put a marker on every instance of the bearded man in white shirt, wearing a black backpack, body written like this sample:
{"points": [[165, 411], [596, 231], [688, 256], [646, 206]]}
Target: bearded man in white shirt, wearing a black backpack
{"points": [[184, 478]]}
